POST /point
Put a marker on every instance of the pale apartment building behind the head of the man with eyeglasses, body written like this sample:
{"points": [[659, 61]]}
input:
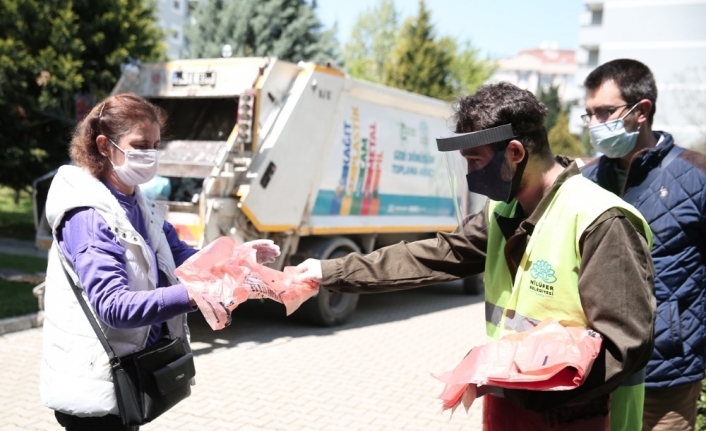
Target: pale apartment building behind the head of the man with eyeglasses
{"points": [[670, 38]]}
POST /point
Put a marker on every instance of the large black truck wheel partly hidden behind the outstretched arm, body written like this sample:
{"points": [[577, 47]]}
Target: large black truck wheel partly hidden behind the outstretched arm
{"points": [[330, 308]]}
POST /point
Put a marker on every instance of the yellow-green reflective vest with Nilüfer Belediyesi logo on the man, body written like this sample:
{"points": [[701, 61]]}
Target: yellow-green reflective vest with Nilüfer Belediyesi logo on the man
{"points": [[547, 279]]}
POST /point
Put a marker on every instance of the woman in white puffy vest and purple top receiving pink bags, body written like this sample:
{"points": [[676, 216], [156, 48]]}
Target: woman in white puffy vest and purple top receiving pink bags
{"points": [[123, 252]]}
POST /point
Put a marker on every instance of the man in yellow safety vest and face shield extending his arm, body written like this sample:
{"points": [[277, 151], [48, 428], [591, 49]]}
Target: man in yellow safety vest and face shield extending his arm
{"points": [[551, 244]]}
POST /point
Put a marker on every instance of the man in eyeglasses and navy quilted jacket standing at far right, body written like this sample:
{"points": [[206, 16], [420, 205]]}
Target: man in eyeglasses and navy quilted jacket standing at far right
{"points": [[667, 185]]}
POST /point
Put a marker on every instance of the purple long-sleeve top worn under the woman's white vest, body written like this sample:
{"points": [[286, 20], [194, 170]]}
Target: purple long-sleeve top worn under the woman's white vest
{"points": [[98, 258]]}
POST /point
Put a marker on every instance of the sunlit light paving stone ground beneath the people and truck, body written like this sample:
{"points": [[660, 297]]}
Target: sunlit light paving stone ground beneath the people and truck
{"points": [[270, 372]]}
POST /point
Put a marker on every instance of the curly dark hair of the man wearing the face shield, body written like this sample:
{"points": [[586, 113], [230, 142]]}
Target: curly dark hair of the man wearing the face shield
{"points": [[503, 103]]}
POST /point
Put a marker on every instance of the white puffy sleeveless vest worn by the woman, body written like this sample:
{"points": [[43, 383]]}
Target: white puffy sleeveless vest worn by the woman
{"points": [[75, 373]]}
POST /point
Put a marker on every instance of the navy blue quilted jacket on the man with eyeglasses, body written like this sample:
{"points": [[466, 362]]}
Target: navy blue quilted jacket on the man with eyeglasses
{"points": [[673, 200]]}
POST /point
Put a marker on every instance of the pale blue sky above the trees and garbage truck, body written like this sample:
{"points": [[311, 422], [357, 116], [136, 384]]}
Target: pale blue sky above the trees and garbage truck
{"points": [[498, 28]]}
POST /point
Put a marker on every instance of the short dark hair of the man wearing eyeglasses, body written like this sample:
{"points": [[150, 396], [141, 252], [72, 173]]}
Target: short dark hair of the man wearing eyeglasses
{"points": [[634, 79]]}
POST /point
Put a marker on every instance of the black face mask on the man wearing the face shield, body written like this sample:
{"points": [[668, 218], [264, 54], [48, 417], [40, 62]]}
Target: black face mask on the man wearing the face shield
{"points": [[488, 180]]}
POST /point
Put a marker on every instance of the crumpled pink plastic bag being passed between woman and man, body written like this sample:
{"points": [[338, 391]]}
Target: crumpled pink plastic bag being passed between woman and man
{"points": [[224, 274]]}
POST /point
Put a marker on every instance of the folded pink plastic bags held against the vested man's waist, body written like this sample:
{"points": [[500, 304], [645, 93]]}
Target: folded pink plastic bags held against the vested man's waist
{"points": [[549, 357]]}
